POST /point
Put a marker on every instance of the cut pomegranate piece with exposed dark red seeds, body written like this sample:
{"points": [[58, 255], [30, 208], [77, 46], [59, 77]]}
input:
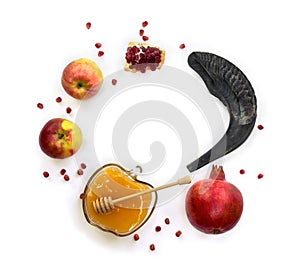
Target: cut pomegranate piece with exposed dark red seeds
{"points": [[142, 57]]}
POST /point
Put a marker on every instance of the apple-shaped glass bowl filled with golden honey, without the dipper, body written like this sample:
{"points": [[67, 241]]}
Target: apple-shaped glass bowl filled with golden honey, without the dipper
{"points": [[128, 215]]}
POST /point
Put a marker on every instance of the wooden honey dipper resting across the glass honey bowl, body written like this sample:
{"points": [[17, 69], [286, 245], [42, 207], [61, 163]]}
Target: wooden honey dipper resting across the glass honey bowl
{"points": [[105, 204]]}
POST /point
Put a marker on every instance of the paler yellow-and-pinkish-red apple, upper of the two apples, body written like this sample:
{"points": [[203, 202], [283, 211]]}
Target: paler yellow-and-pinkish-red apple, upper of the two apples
{"points": [[82, 78]]}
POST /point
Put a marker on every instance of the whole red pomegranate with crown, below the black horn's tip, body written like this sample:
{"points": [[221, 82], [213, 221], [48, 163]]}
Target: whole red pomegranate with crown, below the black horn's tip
{"points": [[214, 205]]}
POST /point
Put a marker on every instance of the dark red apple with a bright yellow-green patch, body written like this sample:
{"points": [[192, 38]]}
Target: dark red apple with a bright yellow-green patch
{"points": [[60, 138]]}
